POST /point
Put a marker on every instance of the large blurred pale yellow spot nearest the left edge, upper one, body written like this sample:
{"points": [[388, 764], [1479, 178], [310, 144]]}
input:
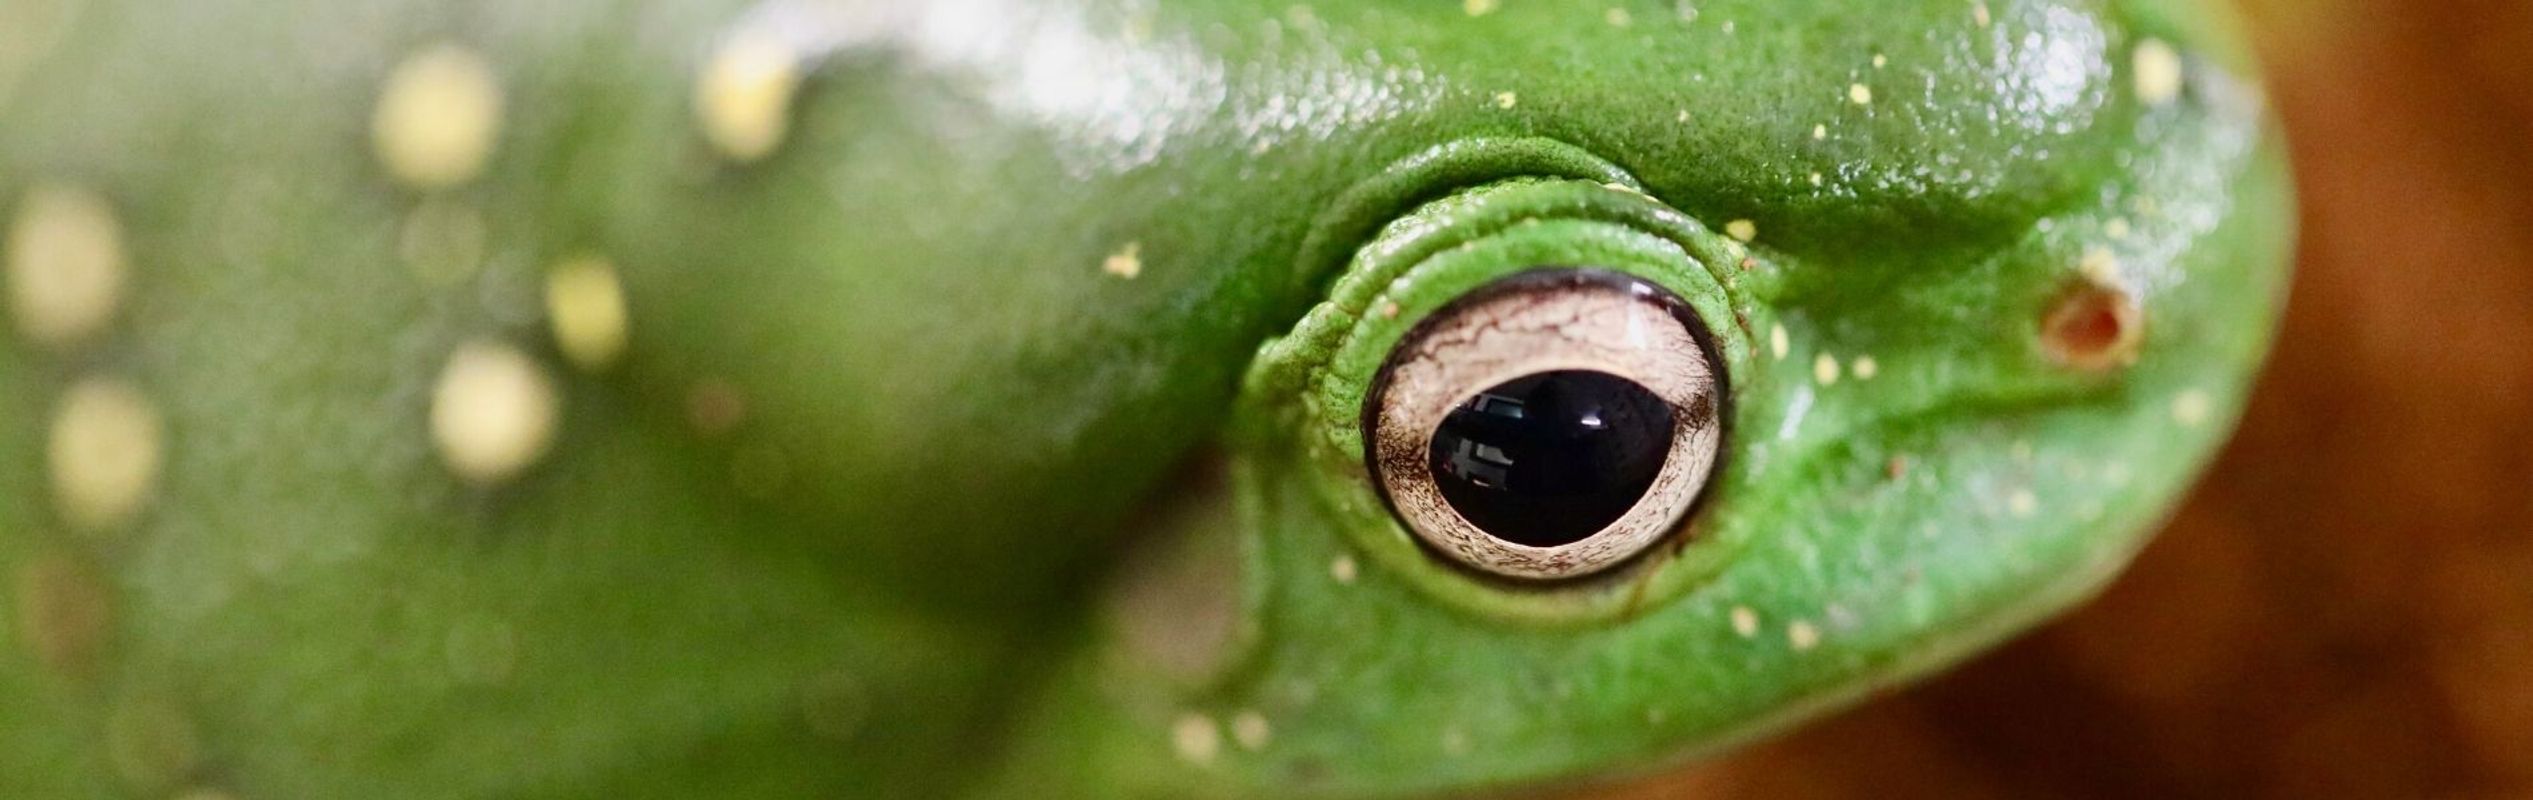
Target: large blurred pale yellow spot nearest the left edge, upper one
{"points": [[65, 265]]}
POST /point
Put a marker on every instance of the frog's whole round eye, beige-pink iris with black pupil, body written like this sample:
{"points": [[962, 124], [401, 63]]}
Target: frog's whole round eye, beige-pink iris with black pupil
{"points": [[1551, 424]]}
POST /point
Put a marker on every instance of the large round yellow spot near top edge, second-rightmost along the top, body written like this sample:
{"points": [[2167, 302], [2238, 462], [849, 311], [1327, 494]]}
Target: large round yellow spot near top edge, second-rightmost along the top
{"points": [[439, 118]]}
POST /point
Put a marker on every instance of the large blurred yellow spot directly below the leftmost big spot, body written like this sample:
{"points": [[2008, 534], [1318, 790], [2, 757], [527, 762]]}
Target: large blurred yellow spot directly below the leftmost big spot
{"points": [[105, 454]]}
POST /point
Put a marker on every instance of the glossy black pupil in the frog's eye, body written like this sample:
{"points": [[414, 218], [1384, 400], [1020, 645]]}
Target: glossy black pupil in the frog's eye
{"points": [[1554, 457]]}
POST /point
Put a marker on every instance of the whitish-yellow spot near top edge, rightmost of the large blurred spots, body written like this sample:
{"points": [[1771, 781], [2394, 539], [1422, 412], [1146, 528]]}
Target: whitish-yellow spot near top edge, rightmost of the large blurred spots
{"points": [[746, 92]]}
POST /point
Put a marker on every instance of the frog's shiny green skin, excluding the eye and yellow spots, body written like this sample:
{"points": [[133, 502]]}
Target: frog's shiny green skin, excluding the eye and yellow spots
{"points": [[1009, 525]]}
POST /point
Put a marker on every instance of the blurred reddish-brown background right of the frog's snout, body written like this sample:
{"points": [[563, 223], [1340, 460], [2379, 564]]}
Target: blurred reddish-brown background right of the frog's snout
{"points": [[2347, 604]]}
